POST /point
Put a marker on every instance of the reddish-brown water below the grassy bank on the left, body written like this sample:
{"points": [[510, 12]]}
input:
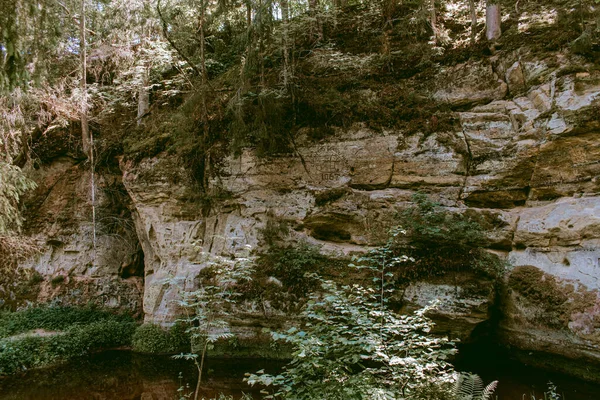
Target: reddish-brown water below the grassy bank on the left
{"points": [[122, 375]]}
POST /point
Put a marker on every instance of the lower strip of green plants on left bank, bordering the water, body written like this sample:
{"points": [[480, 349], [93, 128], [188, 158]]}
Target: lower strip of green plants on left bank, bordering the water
{"points": [[29, 351]]}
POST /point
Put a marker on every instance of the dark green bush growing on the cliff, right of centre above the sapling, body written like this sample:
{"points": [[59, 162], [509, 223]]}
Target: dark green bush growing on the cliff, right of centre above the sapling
{"points": [[442, 241]]}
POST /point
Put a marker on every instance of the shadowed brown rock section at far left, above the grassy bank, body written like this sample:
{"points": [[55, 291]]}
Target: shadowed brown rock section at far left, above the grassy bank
{"points": [[71, 269]]}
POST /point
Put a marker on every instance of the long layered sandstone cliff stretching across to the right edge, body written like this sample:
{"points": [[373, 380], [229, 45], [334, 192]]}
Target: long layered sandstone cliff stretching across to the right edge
{"points": [[523, 152]]}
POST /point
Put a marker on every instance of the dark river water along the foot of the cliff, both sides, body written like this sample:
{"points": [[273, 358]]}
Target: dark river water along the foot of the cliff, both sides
{"points": [[123, 375]]}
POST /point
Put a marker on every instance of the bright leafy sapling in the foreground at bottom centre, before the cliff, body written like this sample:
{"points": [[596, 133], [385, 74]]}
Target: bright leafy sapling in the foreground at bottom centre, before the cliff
{"points": [[348, 348]]}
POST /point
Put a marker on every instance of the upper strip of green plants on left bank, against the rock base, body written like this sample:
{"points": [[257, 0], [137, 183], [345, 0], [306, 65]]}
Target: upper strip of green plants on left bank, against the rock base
{"points": [[54, 319]]}
